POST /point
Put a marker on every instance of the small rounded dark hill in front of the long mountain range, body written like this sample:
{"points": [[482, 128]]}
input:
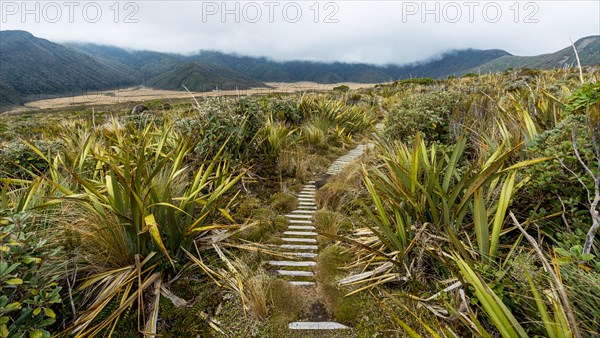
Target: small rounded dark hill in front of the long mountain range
{"points": [[203, 77]]}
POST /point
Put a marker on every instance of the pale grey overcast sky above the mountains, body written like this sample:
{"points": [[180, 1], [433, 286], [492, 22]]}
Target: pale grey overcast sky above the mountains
{"points": [[350, 31]]}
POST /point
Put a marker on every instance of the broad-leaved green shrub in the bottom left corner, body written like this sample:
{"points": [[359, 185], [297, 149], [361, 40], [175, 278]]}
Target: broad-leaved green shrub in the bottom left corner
{"points": [[27, 294]]}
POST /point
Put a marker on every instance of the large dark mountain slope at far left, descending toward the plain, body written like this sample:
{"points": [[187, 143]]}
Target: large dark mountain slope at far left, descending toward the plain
{"points": [[31, 66]]}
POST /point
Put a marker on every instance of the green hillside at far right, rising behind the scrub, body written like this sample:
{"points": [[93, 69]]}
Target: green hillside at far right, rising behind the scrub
{"points": [[588, 49]]}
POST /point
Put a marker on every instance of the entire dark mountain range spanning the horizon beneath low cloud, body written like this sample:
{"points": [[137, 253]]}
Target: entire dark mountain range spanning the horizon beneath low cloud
{"points": [[31, 66]]}
